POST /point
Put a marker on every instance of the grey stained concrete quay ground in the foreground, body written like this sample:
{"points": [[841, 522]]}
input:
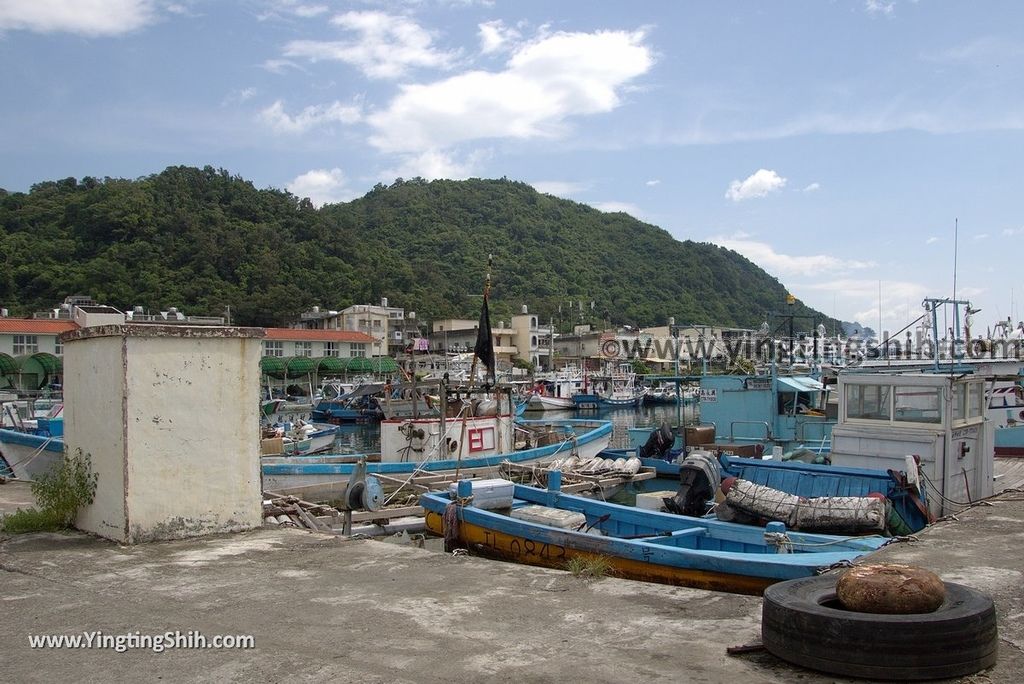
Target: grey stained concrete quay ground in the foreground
{"points": [[323, 609]]}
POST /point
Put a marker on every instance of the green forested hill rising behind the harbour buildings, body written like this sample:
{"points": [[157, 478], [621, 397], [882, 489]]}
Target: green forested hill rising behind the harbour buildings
{"points": [[202, 240]]}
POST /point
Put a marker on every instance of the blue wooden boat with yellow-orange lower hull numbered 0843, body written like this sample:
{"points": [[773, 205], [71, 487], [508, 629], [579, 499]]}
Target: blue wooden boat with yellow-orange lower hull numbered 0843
{"points": [[639, 544]]}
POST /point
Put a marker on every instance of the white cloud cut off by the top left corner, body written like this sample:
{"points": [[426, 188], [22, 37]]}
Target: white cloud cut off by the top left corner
{"points": [[88, 18]]}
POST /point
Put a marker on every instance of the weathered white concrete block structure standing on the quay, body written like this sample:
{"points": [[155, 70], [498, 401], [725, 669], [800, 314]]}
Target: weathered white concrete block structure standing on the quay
{"points": [[172, 419]]}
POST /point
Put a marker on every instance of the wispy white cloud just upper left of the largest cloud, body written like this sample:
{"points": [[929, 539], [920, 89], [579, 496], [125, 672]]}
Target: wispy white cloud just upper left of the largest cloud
{"points": [[387, 47]]}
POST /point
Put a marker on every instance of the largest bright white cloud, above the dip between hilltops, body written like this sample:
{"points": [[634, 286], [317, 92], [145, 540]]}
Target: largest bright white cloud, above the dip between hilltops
{"points": [[545, 83]]}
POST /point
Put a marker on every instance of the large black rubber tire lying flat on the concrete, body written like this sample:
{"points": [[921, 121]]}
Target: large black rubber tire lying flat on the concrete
{"points": [[803, 623]]}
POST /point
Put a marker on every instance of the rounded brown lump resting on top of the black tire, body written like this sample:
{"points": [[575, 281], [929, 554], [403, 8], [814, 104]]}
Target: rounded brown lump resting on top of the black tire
{"points": [[891, 589]]}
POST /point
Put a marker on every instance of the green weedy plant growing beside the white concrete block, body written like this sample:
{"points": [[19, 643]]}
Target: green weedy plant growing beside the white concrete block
{"points": [[60, 493]]}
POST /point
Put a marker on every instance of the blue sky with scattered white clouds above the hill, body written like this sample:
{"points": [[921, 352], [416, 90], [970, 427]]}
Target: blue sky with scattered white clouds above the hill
{"points": [[855, 150]]}
